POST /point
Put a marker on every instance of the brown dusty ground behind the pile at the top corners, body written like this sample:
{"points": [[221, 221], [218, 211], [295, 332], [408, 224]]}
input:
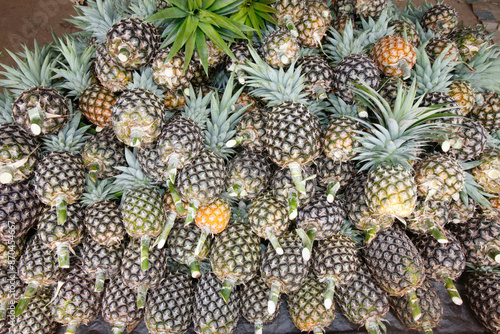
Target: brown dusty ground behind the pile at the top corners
{"points": [[22, 21]]}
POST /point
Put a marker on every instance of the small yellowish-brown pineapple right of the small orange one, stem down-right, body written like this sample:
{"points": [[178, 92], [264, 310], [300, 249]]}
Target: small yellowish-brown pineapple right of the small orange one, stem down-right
{"points": [[269, 219]]}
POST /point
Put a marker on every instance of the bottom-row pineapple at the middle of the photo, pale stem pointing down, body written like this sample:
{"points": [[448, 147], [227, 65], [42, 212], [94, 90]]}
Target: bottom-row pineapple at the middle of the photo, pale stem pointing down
{"points": [[254, 299]]}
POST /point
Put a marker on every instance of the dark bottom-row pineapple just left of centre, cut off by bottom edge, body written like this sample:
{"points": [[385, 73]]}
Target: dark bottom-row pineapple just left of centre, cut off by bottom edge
{"points": [[211, 313]]}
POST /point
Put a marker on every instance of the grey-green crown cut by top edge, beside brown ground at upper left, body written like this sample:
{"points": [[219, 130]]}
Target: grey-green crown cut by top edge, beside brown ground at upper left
{"points": [[98, 16]]}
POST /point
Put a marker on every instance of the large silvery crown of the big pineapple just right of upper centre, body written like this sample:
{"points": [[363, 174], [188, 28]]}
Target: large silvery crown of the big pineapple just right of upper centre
{"points": [[275, 86]]}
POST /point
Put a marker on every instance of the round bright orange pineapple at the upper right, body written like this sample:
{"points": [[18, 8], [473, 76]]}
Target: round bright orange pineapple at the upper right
{"points": [[394, 56]]}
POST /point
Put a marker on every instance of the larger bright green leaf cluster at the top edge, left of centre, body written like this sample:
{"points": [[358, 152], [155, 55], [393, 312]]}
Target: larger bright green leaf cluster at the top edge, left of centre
{"points": [[192, 21]]}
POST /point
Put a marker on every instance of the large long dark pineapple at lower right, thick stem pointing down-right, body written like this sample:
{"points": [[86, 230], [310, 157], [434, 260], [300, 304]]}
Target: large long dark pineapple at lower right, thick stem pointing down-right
{"points": [[396, 266]]}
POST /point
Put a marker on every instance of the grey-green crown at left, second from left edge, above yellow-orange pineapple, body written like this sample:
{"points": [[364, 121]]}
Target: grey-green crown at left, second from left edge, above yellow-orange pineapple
{"points": [[75, 70]]}
